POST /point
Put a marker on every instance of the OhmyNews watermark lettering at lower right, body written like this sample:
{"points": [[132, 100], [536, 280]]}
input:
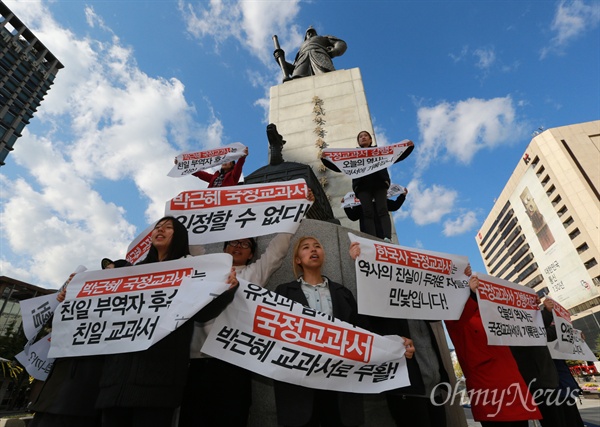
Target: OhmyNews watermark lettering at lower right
{"points": [[512, 396]]}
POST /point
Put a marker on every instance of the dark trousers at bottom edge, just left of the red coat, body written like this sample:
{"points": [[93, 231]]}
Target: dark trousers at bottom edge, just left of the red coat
{"points": [[415, 411]]}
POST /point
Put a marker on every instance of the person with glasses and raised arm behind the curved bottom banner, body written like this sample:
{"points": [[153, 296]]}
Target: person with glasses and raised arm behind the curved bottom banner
{"points": [[219, 393]]}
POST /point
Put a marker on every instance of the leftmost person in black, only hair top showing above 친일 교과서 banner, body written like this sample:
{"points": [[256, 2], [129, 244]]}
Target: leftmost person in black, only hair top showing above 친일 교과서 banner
{"points": [[68, 396]]}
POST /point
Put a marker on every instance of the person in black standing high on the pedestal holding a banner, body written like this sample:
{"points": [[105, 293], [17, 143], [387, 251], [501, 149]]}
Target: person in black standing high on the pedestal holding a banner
{"points": [[371, 190]]}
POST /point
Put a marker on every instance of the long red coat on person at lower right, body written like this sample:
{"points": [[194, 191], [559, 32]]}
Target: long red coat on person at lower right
{"points": [[497, 389]]}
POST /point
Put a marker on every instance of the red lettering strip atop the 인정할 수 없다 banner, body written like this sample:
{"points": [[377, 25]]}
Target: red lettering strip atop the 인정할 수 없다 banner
{"points": [[229, 196]]}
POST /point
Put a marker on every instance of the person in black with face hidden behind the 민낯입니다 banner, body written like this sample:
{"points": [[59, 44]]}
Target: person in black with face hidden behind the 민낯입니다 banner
{"points": [[413, 405]]}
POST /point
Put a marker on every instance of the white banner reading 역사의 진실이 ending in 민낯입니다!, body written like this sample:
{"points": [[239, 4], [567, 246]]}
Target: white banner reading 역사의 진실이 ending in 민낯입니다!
{"points": [[399, 282]]}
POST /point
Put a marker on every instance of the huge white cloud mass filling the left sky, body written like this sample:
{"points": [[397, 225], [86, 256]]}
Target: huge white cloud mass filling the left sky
{"points": [[103, 120]]}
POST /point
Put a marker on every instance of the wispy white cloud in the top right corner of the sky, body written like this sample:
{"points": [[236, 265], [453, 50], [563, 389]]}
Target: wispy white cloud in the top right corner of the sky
{"points": [[572, 18]]}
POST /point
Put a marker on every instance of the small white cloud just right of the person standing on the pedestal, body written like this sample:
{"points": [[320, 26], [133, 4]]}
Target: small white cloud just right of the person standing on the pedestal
{"points": [[428, 205]]}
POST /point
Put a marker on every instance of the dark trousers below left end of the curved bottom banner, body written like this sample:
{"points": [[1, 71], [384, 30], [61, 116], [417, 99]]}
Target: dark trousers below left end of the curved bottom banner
{"points": [[217, 394]]}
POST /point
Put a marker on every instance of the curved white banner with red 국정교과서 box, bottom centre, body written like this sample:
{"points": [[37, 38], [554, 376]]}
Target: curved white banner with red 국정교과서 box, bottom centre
{"points": [[276, 337]]}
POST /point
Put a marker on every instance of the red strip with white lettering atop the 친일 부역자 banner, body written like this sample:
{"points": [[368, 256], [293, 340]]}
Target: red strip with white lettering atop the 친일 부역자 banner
{"points": [[161, 279]]}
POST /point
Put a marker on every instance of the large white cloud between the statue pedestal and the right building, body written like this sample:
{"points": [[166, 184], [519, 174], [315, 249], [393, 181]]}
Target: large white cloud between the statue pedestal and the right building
{"points": [[459, 130]]}
